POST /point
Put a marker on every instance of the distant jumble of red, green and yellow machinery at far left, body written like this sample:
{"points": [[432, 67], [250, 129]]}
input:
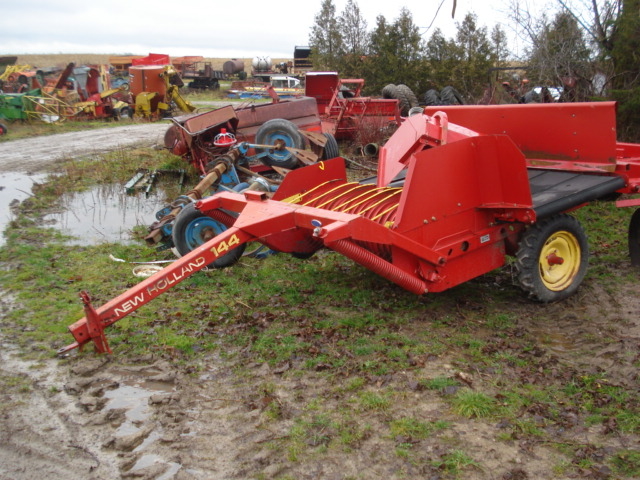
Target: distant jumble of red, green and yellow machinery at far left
{"points": [[87, 92]]}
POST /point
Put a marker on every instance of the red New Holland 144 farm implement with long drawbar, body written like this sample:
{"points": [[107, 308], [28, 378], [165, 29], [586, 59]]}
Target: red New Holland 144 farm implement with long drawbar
{"points": [[450, 202]]}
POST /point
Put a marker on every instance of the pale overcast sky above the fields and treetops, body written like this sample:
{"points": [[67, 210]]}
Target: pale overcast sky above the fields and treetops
{"points": [[211, 28]]}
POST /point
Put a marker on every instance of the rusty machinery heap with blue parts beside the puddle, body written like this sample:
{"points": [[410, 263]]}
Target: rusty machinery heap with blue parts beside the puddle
{"points": [[236, 150]]}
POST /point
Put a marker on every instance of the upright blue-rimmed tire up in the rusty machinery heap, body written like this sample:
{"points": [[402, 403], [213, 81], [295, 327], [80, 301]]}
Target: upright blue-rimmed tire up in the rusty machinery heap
{"points": [[278, 130]]}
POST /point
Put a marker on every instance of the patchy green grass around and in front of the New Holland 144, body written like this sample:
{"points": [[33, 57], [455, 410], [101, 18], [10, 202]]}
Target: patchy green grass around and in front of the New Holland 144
{"points": [[347, 369]]}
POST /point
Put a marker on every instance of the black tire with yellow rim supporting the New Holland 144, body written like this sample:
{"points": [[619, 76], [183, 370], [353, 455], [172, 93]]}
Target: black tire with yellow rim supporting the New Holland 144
{"points": [[552, 258]]}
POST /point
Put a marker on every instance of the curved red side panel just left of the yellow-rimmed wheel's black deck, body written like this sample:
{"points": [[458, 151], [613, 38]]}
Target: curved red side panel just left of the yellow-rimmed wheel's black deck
{"points": [[449, 188]]}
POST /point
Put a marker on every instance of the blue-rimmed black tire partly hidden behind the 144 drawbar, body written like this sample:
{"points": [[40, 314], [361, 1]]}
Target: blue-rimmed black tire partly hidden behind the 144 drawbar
{"points": [[192, 228]]}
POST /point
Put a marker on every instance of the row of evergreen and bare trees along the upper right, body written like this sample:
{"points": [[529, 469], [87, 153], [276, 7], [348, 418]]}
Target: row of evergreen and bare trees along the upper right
{"points": [[582, 51]]}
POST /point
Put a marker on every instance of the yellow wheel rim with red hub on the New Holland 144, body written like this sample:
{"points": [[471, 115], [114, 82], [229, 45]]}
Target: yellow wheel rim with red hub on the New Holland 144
{"points": [[559, 260]]}
